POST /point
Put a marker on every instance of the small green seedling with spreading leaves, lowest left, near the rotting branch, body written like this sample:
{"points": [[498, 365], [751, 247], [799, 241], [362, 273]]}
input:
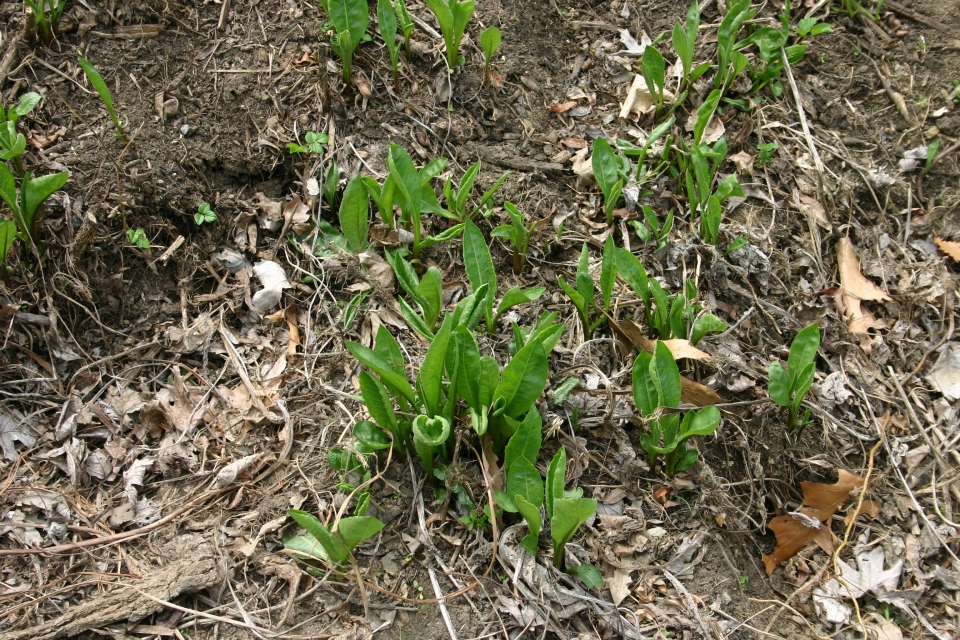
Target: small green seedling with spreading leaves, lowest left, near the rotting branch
{"points": [[332, 547]]}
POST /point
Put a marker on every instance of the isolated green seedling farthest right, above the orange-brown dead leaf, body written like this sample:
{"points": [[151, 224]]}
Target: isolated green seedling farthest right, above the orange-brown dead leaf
{"points": [[787, 388]]}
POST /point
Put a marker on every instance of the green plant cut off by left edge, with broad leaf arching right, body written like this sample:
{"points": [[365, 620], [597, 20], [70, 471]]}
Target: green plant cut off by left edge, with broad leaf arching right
{"points": [[27, 203]]}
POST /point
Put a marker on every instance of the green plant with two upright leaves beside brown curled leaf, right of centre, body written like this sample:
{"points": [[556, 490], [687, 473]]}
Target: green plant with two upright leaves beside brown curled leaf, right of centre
{"points": [[657, 387]]}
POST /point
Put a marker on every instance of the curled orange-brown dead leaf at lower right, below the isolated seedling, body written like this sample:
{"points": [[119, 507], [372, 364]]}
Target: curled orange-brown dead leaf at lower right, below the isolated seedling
{"points": [[820, 502]]}
